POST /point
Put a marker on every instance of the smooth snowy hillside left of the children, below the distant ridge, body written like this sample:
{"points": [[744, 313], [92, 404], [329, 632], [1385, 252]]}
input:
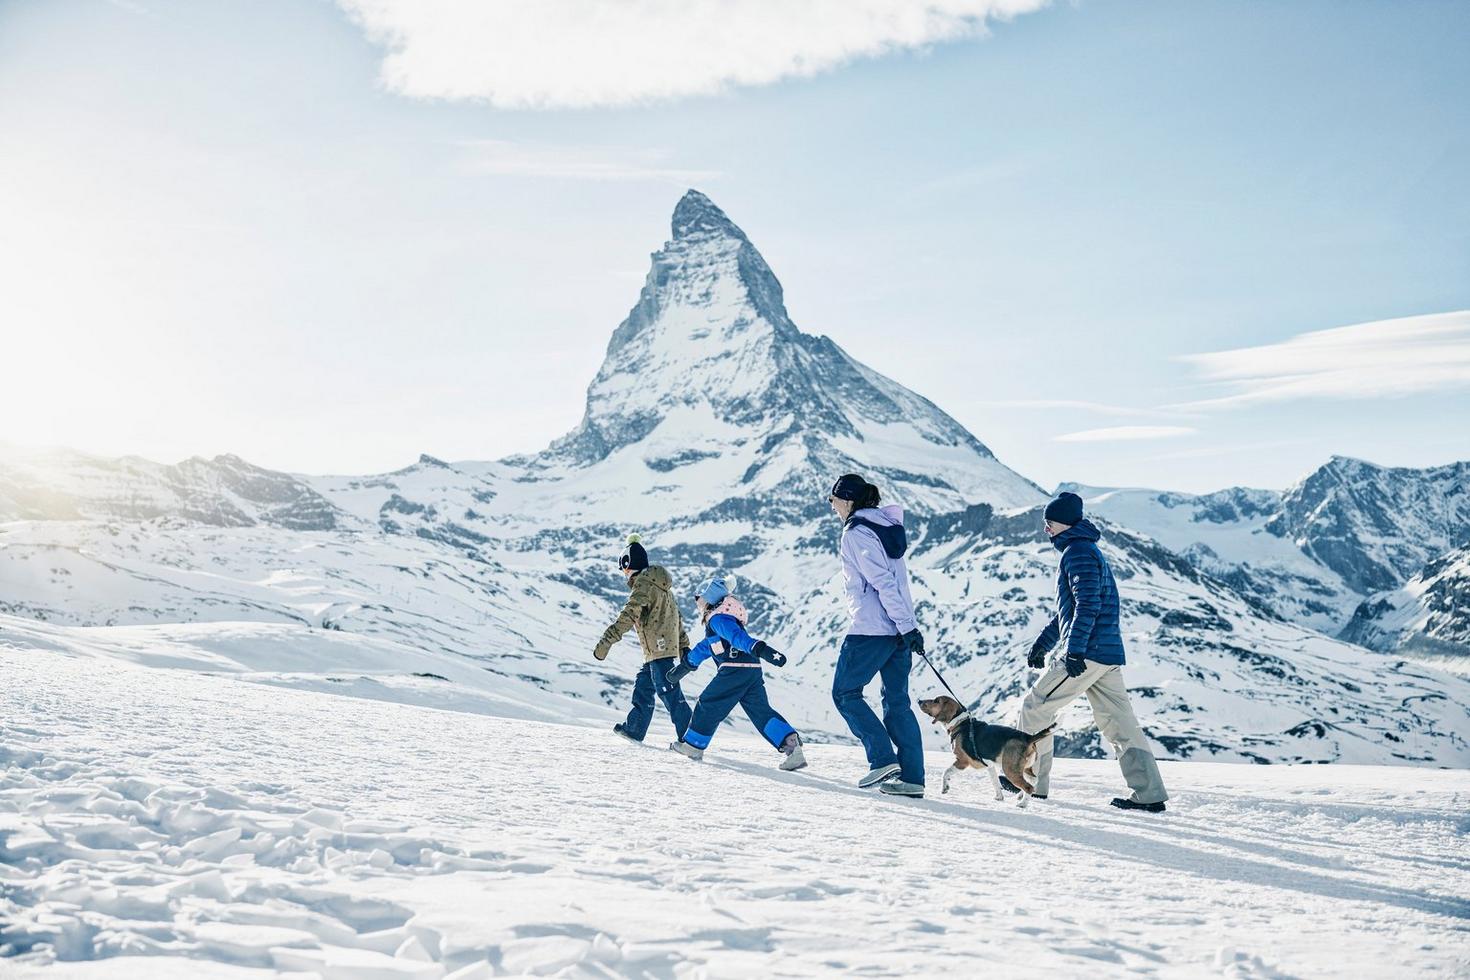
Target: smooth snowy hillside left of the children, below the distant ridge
{"points": [[404, 596]]}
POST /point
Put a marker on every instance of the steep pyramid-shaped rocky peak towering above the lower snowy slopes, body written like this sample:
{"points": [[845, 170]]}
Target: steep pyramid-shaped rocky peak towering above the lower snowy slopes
{"points": [[709, 364]]}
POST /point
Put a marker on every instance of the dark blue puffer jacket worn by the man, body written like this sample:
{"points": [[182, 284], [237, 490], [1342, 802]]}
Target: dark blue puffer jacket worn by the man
{"points": [[1087, 618]]}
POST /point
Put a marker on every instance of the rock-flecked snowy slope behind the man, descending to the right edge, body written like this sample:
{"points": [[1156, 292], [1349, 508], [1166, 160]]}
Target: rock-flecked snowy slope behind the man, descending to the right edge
{"points": [[1215, 678]]}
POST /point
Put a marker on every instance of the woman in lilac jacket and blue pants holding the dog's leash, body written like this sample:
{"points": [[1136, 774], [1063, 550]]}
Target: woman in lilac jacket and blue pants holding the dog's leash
{"points": [[881, 641]]}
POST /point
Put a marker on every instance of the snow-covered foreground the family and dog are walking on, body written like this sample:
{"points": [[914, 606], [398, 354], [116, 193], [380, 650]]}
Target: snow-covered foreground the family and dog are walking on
{"points": [[174, 824]]}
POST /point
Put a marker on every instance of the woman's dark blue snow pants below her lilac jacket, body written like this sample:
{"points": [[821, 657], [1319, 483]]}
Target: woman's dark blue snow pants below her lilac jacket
{"points": [[887, 657]]}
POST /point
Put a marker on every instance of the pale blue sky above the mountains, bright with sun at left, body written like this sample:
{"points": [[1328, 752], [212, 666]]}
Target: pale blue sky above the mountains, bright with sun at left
{"points": [[224, 231]]}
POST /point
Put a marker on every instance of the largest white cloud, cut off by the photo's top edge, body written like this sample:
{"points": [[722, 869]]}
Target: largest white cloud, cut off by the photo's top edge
{"points": [[578, 54]]}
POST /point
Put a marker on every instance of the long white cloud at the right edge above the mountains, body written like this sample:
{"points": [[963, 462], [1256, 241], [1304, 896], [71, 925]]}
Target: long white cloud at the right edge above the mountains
{"points": [[1368, 361]]}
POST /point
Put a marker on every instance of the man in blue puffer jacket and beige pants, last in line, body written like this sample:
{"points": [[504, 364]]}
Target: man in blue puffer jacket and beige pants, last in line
{"points": [[1087, 628]]}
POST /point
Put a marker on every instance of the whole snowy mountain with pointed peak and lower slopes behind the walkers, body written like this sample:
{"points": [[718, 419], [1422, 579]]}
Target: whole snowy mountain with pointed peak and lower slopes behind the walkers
{"points": [[715, 430]]}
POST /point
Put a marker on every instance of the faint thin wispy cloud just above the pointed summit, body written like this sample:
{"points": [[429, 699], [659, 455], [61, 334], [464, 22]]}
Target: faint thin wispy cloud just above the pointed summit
{"points": [[501, 158]]}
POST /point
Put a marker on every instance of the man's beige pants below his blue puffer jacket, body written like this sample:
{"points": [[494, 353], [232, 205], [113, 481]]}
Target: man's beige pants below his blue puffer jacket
{"points": [[1114, 713]]}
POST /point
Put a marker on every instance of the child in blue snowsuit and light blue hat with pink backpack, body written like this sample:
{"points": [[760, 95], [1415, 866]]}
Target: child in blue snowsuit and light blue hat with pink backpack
{"points": [[740, 681]]}
